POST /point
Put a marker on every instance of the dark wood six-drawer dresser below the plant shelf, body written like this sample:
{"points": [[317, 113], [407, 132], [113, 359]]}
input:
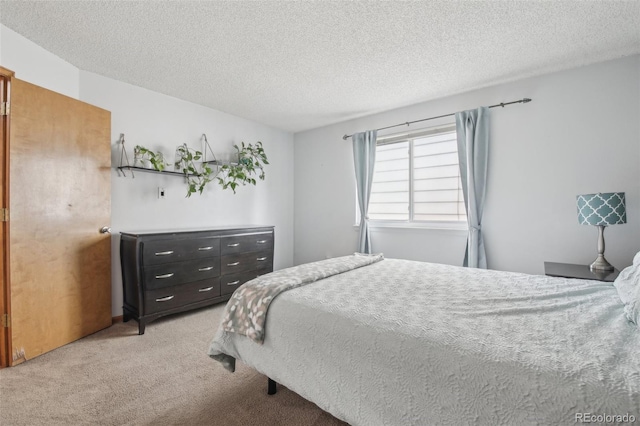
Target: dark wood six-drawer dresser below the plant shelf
{"points": [[168, 272]]}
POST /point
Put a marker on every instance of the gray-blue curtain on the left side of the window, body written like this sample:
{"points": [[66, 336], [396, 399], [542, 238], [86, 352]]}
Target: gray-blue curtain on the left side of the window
{"points": [[364, 158]]}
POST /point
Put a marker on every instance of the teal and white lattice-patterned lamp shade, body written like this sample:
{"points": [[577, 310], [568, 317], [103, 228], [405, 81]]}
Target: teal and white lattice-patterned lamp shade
{"points": [[602, 209]]}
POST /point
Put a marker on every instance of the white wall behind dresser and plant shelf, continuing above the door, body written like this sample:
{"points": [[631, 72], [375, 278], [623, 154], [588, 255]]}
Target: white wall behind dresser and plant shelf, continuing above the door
{"points": [[161, 122]]}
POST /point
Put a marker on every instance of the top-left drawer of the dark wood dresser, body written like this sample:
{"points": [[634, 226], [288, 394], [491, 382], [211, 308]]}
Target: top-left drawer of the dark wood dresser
{"points": [[163, 251]]}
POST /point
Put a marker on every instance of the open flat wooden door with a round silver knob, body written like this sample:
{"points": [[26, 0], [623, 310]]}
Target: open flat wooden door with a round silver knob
{"points": [[60, 197]]}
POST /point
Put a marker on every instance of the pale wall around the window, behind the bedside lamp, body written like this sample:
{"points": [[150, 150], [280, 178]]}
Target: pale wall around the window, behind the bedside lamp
{"points": [[580, 134]]}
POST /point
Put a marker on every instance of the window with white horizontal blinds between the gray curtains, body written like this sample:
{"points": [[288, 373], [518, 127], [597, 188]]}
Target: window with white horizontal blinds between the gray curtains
{"points": [[417, 178]]}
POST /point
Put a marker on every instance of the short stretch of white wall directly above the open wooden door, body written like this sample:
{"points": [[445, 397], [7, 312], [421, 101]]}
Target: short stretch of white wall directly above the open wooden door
{"points": [[37, 65]]}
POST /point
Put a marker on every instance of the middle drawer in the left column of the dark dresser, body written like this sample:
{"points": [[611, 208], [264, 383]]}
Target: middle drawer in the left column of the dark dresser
{"points": [[166, 275]]}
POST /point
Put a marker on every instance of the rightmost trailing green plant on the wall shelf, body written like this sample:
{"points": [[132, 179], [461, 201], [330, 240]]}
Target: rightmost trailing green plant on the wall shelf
{"points": [[251, 161]]}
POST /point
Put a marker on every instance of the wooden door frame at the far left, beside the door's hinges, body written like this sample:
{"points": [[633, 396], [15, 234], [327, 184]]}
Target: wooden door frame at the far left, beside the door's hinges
{"points": [[6, 76]]}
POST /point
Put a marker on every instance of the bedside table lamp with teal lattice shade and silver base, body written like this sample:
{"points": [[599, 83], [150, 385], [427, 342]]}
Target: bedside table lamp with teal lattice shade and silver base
{"points": [[601, 209]]}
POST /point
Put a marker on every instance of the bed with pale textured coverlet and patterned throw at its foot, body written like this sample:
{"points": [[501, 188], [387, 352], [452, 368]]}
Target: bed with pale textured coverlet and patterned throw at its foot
{"points": [[398, 342]]}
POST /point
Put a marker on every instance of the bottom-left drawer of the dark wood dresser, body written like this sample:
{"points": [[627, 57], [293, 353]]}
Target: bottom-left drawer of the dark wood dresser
{"points": [[176, 296]]}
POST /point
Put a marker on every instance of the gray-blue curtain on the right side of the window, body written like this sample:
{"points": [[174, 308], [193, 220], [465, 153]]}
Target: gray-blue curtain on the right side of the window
{"points": [[473, 151]]}
